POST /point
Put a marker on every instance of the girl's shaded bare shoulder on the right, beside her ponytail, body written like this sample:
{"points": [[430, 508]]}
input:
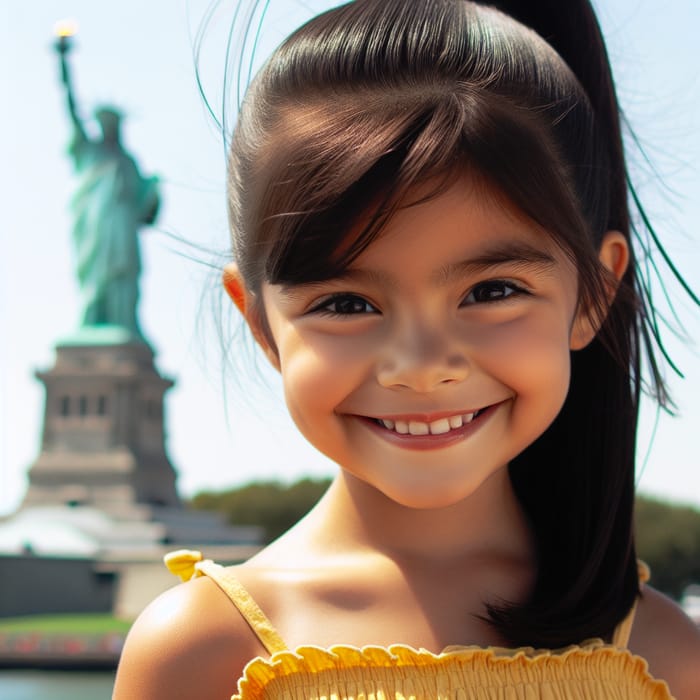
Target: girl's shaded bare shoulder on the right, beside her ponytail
{"points": [[670, 642]]}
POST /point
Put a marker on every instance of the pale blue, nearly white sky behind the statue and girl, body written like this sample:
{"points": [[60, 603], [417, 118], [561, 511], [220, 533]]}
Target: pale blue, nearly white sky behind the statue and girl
{"points": [[225, 429]]}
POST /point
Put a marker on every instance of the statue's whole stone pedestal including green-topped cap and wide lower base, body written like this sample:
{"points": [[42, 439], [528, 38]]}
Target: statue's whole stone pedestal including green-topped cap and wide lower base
{"points": [[102, 506]]}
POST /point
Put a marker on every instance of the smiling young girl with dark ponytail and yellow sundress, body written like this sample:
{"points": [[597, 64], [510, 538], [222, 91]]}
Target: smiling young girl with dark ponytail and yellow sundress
{"points": [[428, 203]]}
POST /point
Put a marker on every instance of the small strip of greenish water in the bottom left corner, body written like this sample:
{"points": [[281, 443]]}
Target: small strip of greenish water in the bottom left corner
{"points": [[56, 685]]}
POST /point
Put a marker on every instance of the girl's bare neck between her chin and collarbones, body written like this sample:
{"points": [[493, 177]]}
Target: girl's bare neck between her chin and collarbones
{"points": [[353, 515]]}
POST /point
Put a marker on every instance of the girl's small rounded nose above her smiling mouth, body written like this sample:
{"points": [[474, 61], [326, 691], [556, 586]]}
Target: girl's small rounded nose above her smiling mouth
{"points": [[422, 360]]}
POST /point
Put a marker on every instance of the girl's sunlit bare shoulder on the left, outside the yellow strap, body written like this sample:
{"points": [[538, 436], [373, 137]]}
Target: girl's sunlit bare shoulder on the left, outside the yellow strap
{"points": [[190, 642]]}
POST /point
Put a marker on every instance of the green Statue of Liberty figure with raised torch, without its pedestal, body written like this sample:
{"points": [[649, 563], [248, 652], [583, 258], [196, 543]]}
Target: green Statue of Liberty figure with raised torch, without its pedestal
{"points": [[112, 201]]}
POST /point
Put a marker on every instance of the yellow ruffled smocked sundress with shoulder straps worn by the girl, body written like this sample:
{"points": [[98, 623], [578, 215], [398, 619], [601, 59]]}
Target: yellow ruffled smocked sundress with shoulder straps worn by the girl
{"points": [[592, 670]]}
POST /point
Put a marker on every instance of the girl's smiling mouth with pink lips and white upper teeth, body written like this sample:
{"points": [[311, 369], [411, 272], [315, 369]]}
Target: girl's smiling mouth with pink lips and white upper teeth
{"points": [[440, 430]]}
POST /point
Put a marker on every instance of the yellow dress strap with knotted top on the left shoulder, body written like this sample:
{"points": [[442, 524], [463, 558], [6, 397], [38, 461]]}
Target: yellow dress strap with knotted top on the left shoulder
{"points": [[189, 564]]}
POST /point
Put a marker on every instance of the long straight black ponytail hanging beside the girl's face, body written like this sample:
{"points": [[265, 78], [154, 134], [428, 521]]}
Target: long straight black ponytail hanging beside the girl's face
{"points": [[581, 504]]}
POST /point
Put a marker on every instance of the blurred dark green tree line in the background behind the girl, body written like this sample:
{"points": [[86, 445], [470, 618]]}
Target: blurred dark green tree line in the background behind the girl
{"points": [[667, 534]]}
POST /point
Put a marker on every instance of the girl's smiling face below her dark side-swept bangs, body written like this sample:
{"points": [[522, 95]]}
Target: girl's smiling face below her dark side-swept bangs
{"points": [[440, 354]]}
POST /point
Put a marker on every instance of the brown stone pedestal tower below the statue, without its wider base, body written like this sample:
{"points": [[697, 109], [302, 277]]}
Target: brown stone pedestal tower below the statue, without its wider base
{"points": [[103, 442]]}
